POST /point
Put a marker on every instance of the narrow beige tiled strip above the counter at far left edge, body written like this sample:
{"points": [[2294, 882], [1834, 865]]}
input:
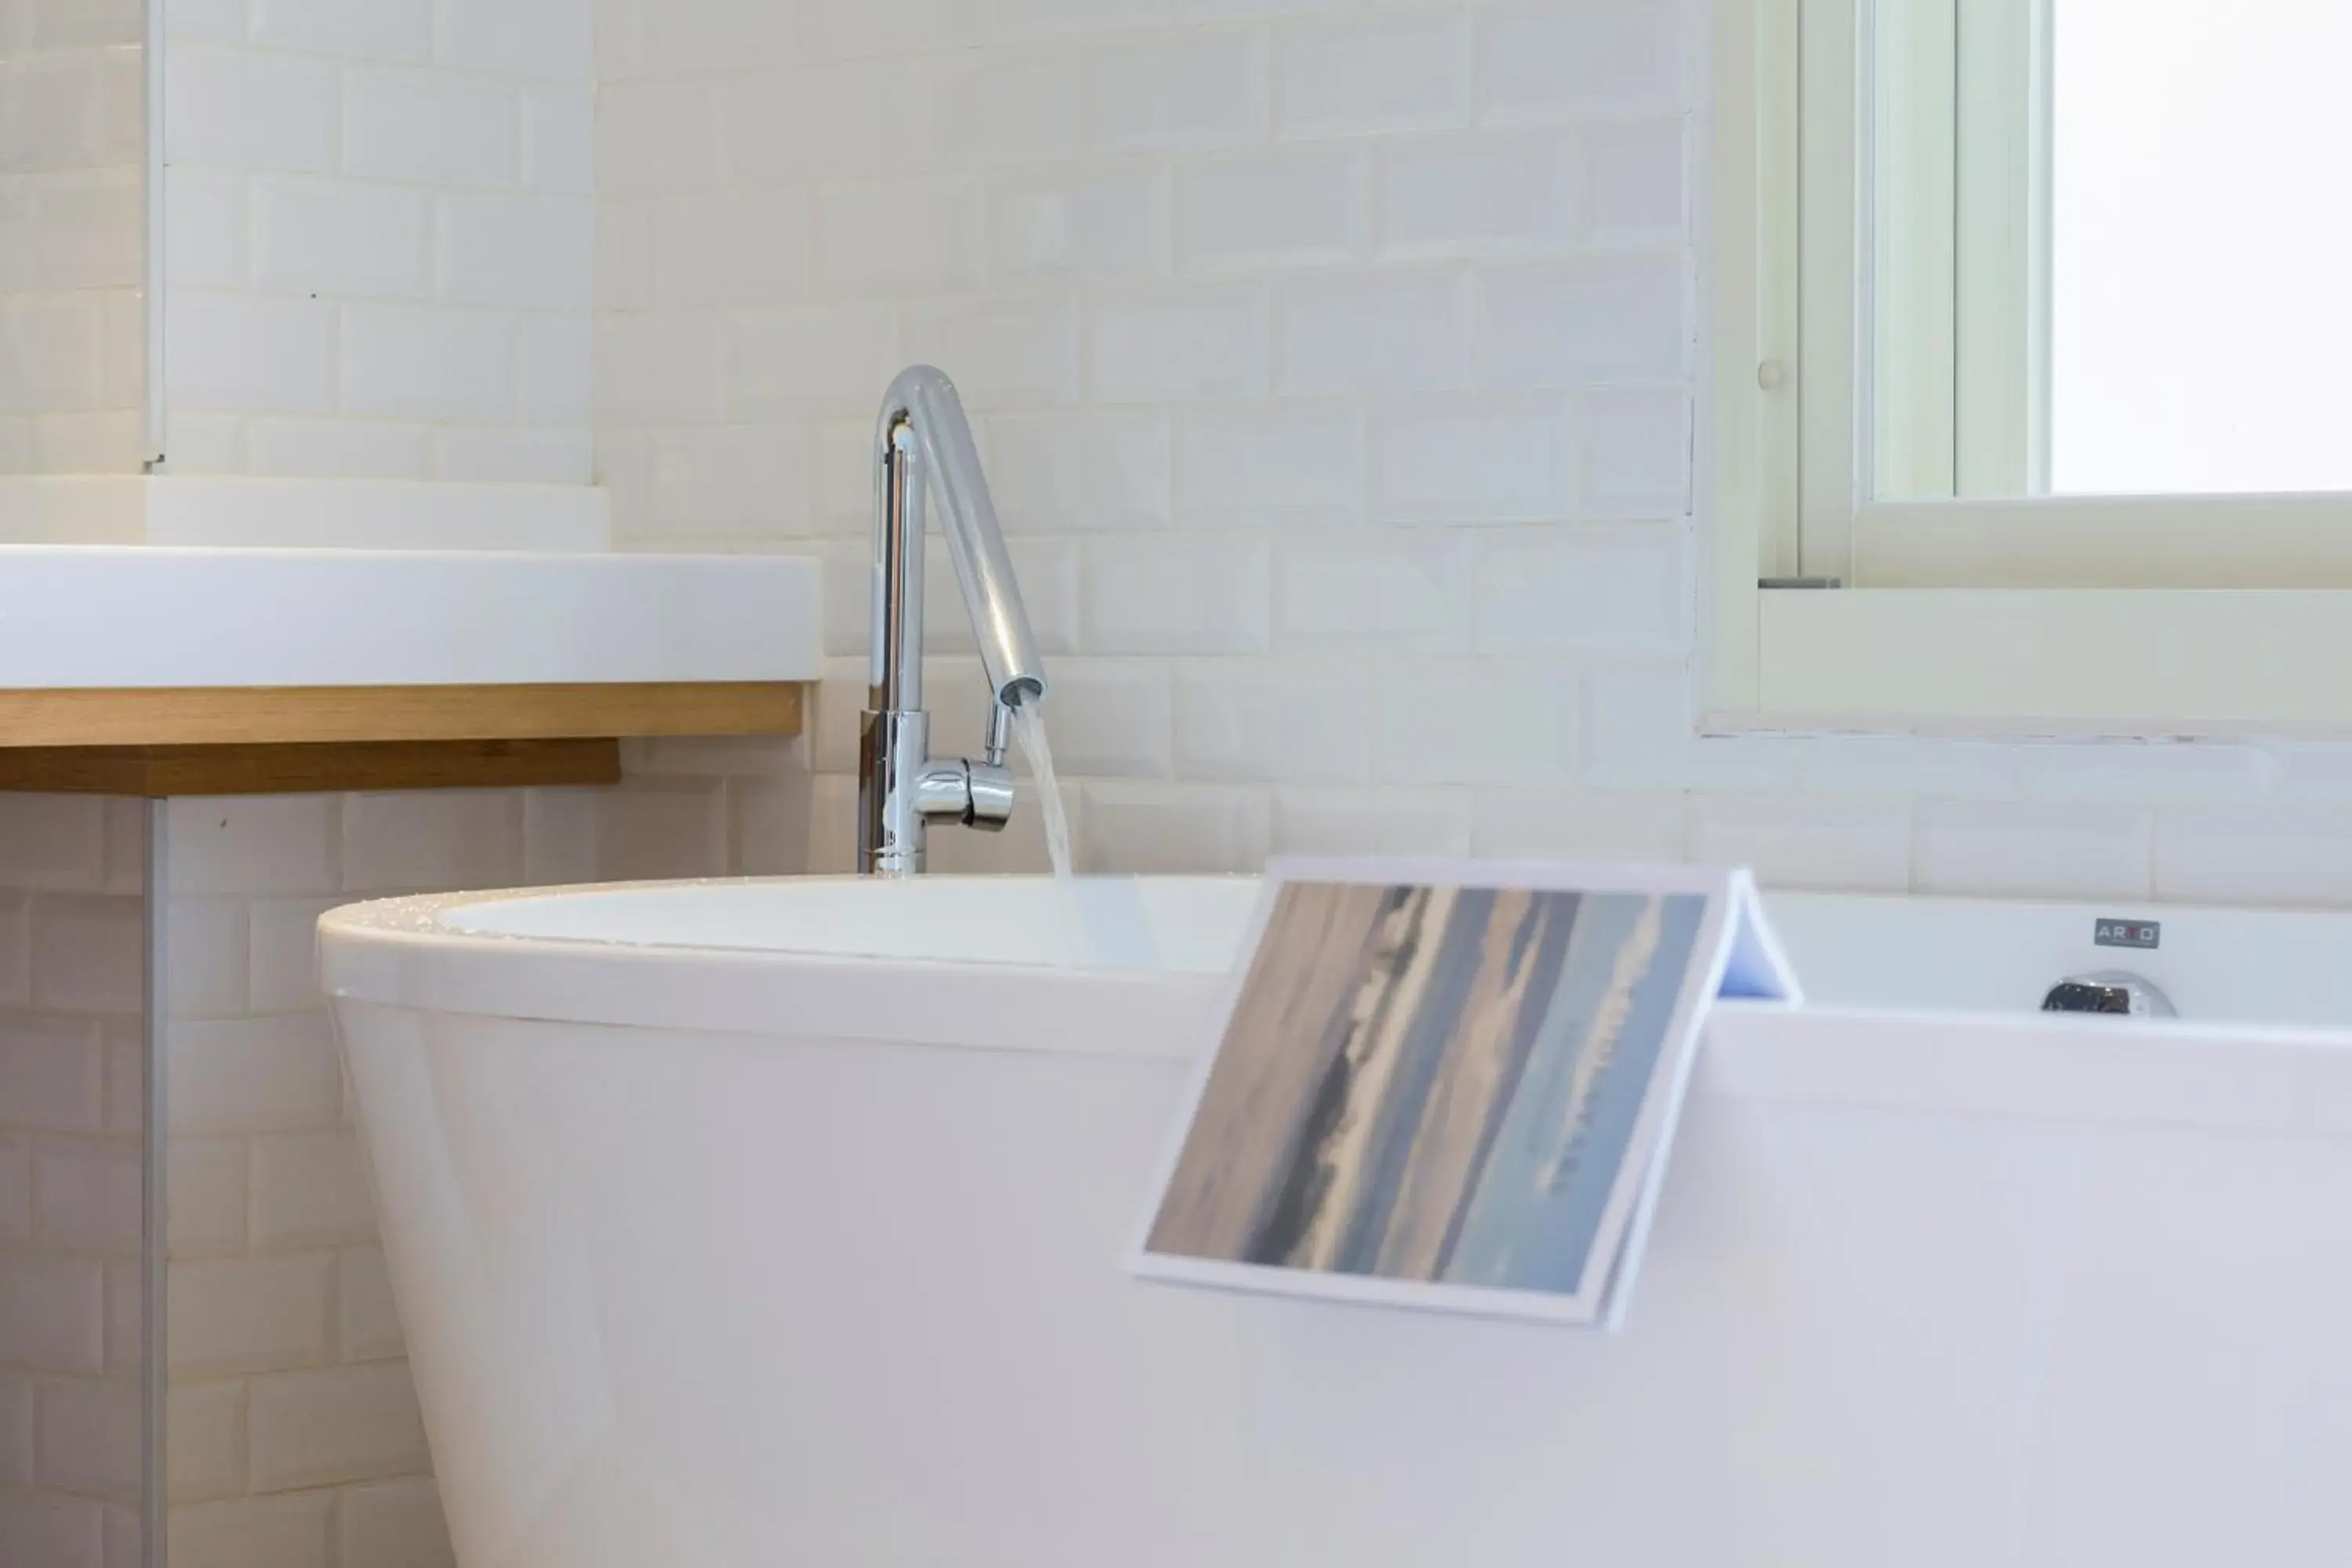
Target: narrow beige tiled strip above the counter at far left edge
{"points": [[72, 236]]}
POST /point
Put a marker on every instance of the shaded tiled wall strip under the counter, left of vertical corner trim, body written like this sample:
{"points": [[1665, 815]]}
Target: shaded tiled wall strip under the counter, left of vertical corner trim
{"points": [[72, 1184]]}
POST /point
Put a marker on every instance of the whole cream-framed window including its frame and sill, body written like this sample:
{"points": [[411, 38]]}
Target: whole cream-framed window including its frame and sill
{"points": [[2031, 326]]}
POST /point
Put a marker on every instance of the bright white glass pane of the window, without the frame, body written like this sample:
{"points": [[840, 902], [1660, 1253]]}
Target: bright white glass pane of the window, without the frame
{"points": [[2203, 302]]}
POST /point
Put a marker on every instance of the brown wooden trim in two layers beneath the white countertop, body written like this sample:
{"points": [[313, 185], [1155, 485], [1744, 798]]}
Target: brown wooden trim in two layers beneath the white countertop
{"points": [[321, 739]]}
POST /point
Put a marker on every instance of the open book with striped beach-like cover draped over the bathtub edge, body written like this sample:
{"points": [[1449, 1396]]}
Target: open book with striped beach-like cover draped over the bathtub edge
{"points": [[1452, 1085]]}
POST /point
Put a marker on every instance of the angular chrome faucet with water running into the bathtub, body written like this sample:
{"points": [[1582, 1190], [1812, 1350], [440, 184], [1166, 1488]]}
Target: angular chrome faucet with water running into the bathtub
{"points": [[926, 443]]}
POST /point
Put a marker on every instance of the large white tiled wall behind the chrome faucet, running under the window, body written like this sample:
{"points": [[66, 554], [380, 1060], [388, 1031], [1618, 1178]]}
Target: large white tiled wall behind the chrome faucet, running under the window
{"points": [[1337, 366]]}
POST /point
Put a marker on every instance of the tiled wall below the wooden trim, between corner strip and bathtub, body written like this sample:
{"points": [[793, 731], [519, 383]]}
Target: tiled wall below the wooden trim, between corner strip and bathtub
{"points": [[295, 1435]]}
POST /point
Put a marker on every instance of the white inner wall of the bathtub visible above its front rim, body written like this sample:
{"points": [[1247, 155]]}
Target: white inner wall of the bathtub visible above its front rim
{"points": [[1958, 956]]}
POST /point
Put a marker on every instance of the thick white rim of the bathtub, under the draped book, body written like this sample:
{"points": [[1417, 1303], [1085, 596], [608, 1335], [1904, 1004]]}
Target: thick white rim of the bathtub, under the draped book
{"points": [[2160, 1073]]}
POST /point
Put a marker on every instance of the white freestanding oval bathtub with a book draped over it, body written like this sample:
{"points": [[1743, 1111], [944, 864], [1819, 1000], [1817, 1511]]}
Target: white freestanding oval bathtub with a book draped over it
{"points": [[744, 1226]]}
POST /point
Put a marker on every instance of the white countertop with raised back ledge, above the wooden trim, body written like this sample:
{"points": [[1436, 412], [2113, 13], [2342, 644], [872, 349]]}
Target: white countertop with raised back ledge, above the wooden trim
{"points": [[154, 584]]}
